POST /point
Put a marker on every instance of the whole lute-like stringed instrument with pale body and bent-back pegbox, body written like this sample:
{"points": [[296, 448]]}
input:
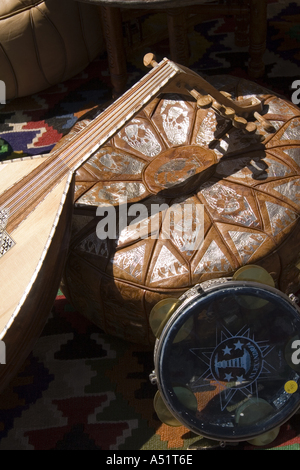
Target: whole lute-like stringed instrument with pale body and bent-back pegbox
{"points": [[36, 202]]}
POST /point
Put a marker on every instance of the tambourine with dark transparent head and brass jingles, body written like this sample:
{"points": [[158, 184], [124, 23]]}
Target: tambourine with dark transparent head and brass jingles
{"points": [[227, 358]]}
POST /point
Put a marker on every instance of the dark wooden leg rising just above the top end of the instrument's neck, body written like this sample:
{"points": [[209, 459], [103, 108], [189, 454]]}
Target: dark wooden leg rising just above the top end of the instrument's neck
{"points": [[178, 35]]}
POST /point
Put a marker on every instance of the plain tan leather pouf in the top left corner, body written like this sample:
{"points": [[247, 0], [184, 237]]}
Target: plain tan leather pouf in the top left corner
{"points": [[44, 42]]}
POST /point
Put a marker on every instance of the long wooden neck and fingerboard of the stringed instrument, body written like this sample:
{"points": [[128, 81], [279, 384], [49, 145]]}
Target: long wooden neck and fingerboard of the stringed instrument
{"points": [[19, 200]]}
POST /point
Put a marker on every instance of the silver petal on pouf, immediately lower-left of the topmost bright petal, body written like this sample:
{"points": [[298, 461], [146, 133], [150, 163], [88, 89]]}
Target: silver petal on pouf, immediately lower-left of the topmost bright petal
{"points": [[141, 138]]}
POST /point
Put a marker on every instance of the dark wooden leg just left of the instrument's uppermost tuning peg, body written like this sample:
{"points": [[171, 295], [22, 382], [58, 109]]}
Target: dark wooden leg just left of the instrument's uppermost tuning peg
{"points": [[113, 35]]}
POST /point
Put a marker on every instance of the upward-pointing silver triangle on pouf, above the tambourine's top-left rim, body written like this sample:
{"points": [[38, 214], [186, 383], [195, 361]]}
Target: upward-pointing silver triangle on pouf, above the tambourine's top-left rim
{"points": [[213, 261]]}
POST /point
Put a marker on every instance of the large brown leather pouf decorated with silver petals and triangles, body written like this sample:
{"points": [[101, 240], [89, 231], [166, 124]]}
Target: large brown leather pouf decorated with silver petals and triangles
{"points": [[251, 207]]}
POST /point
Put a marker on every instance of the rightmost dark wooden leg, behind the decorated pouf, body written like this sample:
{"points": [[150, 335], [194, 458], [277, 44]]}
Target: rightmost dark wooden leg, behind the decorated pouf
{"points": [[258, 36]]}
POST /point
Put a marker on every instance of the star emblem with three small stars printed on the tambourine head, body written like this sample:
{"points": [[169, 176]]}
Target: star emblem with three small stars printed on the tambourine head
{"points": [[234, 365]]}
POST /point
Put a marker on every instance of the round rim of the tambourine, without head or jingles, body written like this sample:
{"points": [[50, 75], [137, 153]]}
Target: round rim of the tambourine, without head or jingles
{"points": [[188, 299]]}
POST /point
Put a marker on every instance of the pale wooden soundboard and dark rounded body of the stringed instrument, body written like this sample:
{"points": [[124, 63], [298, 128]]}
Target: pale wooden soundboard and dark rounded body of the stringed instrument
{"points": [[31, 270]]}
